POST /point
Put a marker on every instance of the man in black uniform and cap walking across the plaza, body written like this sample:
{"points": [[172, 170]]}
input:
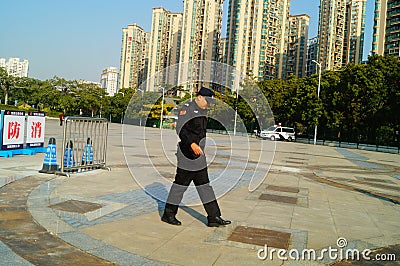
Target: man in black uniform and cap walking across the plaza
{"points": [[192, 165]]}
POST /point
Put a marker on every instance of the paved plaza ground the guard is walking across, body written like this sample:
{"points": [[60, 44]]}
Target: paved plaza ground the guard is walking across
{"points": [[314, 198]]}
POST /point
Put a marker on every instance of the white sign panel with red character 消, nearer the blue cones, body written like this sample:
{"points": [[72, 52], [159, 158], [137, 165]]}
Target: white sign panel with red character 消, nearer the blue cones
{"points": [[35, 126]]}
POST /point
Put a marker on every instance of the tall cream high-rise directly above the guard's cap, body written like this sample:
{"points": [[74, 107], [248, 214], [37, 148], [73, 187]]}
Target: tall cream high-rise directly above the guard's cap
{"points": [[202, 21]]}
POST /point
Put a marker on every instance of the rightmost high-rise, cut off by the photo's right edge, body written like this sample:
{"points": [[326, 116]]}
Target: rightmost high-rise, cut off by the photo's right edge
{"points": [[386, 38]]}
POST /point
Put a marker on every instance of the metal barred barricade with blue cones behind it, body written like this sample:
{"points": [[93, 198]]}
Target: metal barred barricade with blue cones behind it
{"points": [[84, 145]]}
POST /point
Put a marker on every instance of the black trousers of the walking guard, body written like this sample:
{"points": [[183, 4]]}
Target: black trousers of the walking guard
{"points": [[202, 183]]}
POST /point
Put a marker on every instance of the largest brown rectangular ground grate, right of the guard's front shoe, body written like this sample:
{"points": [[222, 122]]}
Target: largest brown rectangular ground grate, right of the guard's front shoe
{"points": [[260, 237]]}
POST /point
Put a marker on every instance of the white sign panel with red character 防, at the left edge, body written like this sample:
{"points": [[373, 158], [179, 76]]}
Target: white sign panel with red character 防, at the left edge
{"points": [[13, 130]]}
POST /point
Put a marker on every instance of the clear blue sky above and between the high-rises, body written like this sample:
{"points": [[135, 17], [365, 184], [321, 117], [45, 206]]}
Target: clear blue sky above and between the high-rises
{"points": [[77, 39]]}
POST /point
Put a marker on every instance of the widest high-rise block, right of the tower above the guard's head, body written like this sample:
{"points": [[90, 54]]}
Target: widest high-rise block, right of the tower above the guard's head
{"points": [[257, 33]]}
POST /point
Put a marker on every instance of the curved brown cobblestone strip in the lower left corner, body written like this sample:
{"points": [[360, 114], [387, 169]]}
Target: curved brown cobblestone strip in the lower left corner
{"points": [[30, 240]]}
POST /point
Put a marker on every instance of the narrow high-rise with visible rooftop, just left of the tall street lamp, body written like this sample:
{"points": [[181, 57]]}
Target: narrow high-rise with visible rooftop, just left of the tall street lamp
{"points": [[297, 45]]}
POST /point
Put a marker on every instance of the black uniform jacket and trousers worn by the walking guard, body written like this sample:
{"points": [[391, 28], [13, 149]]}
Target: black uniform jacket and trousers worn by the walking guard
{"points": [[191, 128]]}
